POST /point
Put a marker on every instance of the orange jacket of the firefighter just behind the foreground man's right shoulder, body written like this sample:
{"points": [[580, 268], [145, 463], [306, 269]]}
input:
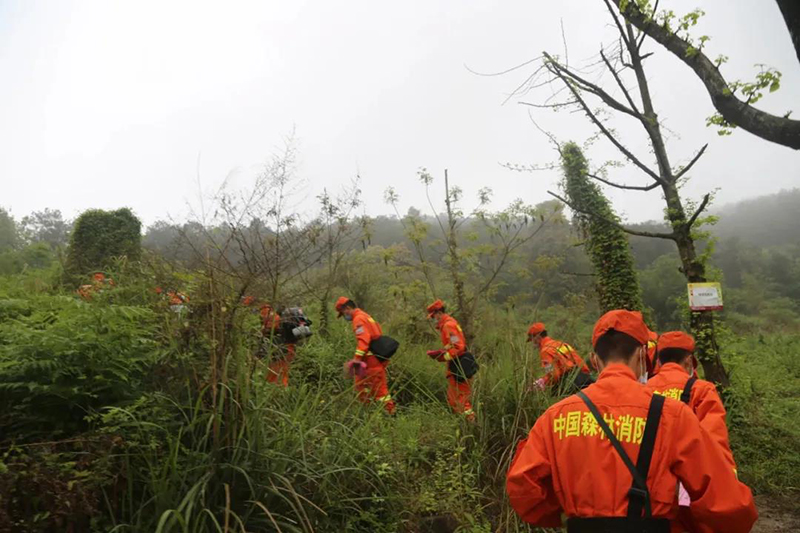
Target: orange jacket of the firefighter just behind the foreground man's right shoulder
{"points": [[704, 401]]}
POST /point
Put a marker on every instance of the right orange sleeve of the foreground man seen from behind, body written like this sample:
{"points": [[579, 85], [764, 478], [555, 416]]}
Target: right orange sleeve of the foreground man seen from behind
{"points": [[719, 500]]}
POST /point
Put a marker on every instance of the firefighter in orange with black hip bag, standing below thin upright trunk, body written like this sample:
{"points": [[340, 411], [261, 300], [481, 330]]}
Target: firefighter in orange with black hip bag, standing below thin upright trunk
{"points": [[459, 389]]}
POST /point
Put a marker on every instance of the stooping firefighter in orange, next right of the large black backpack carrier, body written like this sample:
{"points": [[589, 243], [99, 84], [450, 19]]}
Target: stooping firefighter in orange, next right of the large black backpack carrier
{"points": [[368, 371]]}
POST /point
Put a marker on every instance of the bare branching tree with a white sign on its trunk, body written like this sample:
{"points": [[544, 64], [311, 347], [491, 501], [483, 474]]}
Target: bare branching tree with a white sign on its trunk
{"points": [[624, 63]]}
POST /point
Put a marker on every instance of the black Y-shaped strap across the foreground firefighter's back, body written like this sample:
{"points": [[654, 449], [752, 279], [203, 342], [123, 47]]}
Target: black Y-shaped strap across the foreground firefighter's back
{"points": [[639, 495]]}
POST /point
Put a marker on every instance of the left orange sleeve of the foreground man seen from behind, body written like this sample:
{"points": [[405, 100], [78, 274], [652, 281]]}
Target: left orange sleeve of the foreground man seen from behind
{"points": [[529, 481]]}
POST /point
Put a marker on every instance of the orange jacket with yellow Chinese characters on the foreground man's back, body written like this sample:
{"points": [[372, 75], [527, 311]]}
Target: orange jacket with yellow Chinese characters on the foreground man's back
{"points": [[568, 465]]}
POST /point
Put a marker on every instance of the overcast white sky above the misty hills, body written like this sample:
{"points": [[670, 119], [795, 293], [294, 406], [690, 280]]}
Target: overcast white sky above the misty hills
{"points": [[110, 103]]}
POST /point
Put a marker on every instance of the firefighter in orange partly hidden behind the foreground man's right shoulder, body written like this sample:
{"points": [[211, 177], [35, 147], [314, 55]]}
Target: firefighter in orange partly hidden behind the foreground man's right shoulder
{"points": [[676, 379]]}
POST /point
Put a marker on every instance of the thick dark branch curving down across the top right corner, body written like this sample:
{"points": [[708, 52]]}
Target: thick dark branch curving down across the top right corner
{"points": [[780, 130]]}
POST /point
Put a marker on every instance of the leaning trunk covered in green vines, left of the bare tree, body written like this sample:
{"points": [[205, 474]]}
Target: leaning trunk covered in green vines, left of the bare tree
{"points": [[616, 280]]}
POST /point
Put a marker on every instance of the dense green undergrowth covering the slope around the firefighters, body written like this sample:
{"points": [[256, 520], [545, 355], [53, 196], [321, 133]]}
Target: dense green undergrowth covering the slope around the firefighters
{"points": [[117, 418]]}
